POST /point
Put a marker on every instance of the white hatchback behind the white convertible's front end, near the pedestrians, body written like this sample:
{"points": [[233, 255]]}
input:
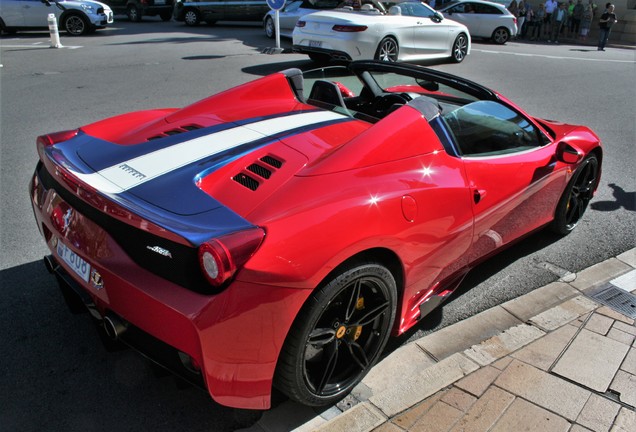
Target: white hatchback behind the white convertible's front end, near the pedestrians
{"points": [[484, 19]]}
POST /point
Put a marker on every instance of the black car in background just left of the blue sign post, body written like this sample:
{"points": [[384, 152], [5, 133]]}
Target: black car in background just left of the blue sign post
{"points": [[192, 12]]}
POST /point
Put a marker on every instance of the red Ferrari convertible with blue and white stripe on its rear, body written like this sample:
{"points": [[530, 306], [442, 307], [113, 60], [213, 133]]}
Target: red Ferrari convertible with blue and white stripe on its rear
{"points": [[277, 233]]}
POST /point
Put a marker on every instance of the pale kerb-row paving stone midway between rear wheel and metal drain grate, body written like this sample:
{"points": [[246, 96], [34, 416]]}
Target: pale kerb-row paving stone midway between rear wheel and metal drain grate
{"points": [[503, 344]]}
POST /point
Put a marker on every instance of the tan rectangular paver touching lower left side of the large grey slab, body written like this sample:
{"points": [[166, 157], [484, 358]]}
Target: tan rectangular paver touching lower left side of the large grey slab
{"points": [[543, 389]]}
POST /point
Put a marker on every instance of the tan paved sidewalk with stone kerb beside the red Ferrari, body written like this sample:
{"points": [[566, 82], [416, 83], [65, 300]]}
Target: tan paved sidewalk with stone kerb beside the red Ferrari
{"points": [[555, 359]]}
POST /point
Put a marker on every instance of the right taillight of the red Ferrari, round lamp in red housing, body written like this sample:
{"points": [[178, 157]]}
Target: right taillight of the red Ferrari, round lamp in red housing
{"points": [[222, 257]]}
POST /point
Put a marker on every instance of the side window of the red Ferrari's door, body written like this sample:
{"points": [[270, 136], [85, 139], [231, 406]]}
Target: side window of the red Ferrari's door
{"points": [[487, 128]]}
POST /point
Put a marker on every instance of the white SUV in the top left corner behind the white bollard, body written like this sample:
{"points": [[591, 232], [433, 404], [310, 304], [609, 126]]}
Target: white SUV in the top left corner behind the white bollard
{"points": [[77, 17]]}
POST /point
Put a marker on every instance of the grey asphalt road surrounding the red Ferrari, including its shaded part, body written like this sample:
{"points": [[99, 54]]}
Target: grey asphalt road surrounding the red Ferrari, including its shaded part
{"points": [[54, 373]]}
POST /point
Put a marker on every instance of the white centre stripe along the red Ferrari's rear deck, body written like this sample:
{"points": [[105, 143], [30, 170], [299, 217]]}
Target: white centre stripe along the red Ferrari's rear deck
{"points": [[126, 174]]}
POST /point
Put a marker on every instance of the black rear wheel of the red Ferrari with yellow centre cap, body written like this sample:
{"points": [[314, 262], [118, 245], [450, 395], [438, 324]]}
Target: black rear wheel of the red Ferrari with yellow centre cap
{"points": [[338, 335]]}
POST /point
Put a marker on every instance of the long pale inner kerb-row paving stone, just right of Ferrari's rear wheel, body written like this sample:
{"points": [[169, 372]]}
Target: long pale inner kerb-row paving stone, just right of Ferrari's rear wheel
{"points": [[395, 399]]}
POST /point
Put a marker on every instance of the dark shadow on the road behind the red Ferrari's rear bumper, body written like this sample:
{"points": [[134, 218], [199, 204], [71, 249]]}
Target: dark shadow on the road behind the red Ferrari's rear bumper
{"points": [[56, 375]]}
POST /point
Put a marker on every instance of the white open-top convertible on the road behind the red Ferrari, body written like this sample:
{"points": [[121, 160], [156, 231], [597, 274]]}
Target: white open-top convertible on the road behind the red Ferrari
{"points": [[390, 31]]}
